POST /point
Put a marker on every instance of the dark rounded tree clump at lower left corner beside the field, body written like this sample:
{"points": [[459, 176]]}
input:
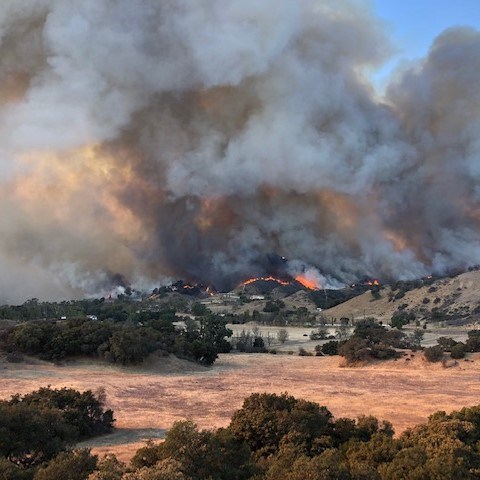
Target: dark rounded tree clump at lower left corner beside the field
{"points": [[36, 427]]}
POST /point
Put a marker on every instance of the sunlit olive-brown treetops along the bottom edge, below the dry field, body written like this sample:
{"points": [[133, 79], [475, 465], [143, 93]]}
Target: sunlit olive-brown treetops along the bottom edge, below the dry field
{"points": [[279, 437]]}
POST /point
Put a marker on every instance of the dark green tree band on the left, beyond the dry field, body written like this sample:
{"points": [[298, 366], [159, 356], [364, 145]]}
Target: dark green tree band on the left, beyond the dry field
{"points": [[126, 342]]}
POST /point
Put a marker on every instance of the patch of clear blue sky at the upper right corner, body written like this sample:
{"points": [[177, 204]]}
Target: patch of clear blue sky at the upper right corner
{"points": [[413, 25]]}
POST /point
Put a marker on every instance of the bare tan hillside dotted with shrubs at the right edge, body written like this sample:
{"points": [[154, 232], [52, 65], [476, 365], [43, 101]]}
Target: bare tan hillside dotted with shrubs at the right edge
{"points": [[453, 300]]}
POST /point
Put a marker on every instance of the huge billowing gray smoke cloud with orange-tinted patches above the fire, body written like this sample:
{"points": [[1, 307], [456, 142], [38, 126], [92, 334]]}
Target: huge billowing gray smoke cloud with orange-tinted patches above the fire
{"points": [[190, 139]]}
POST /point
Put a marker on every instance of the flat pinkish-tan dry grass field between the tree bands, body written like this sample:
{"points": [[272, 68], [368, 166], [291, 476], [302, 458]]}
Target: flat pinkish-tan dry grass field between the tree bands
{"points": [[147, 401]]}
